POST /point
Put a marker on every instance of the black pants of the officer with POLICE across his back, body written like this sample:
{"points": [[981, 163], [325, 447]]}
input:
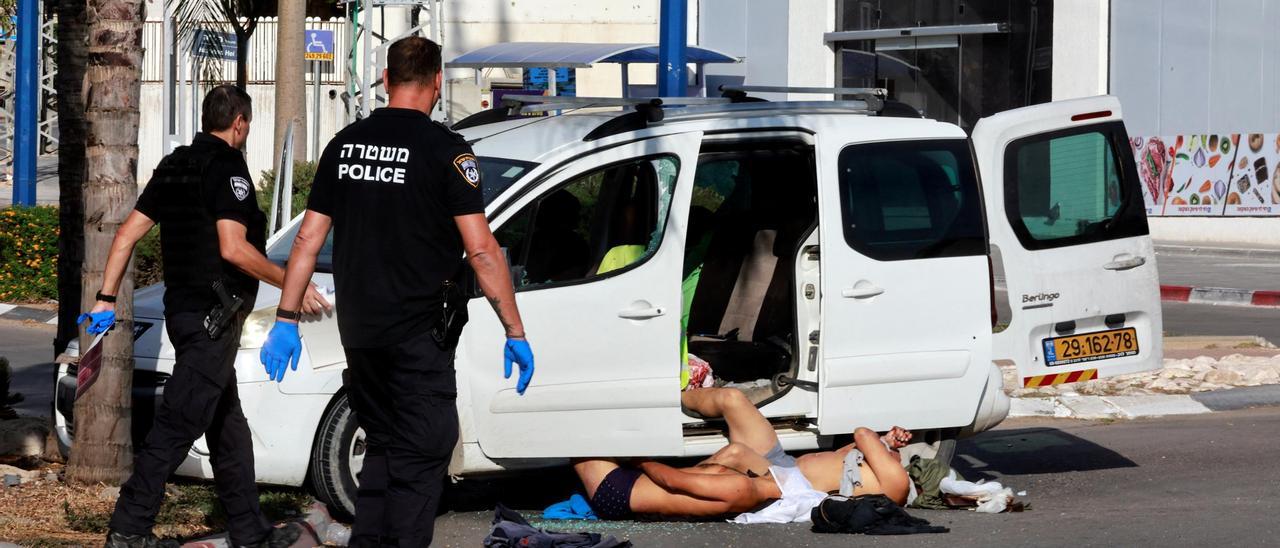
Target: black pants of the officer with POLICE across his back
{"points": [[404, 399]]}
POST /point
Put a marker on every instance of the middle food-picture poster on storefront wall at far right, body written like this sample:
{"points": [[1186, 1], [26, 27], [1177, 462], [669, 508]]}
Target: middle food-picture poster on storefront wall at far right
{"points": [[1201, 172]]}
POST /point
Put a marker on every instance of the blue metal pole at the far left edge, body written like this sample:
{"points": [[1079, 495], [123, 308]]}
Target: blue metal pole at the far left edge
{"points": [[25, 111]]}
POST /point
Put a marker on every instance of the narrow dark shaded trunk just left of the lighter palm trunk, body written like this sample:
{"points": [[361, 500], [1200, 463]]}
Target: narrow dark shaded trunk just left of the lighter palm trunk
{"points": [[70, 84]]}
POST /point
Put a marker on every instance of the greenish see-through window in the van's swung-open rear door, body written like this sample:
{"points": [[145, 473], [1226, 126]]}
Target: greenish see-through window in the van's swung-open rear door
{"points": [[1069, 188]]}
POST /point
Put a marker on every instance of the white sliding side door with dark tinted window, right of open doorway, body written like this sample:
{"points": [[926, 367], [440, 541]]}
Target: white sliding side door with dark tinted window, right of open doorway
{"points": [[906, 327]]}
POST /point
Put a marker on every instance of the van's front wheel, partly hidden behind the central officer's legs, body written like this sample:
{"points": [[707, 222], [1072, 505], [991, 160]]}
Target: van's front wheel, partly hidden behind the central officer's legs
{"points": [[337, 458]]}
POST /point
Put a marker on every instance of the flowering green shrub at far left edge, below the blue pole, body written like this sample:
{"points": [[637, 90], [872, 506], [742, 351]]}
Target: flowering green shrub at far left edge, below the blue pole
{"points": [[29, 254]]}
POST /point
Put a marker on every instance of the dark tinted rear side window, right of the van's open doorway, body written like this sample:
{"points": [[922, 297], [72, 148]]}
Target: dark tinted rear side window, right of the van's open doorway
{"points": [[912, 200]]}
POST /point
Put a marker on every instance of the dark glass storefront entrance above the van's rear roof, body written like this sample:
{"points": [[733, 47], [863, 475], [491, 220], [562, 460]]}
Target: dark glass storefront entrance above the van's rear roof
{"points": [[953, 77]]}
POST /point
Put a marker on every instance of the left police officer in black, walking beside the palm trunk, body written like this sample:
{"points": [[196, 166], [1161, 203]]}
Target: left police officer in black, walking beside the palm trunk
{"points": [[213, 236]]}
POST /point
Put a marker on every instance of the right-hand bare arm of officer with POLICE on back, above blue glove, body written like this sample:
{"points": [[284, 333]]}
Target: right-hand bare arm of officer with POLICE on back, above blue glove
{"points": [[492, 271]]}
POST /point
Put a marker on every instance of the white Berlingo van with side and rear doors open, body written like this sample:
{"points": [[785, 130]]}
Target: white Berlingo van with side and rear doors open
{"points": [[833, 263]]}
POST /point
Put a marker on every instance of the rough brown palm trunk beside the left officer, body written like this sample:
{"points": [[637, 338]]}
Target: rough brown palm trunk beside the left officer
{"points": [[104, 449]]}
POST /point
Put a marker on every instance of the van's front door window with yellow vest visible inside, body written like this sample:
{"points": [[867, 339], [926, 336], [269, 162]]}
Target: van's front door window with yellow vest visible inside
{"points": [[598, 223]]}
